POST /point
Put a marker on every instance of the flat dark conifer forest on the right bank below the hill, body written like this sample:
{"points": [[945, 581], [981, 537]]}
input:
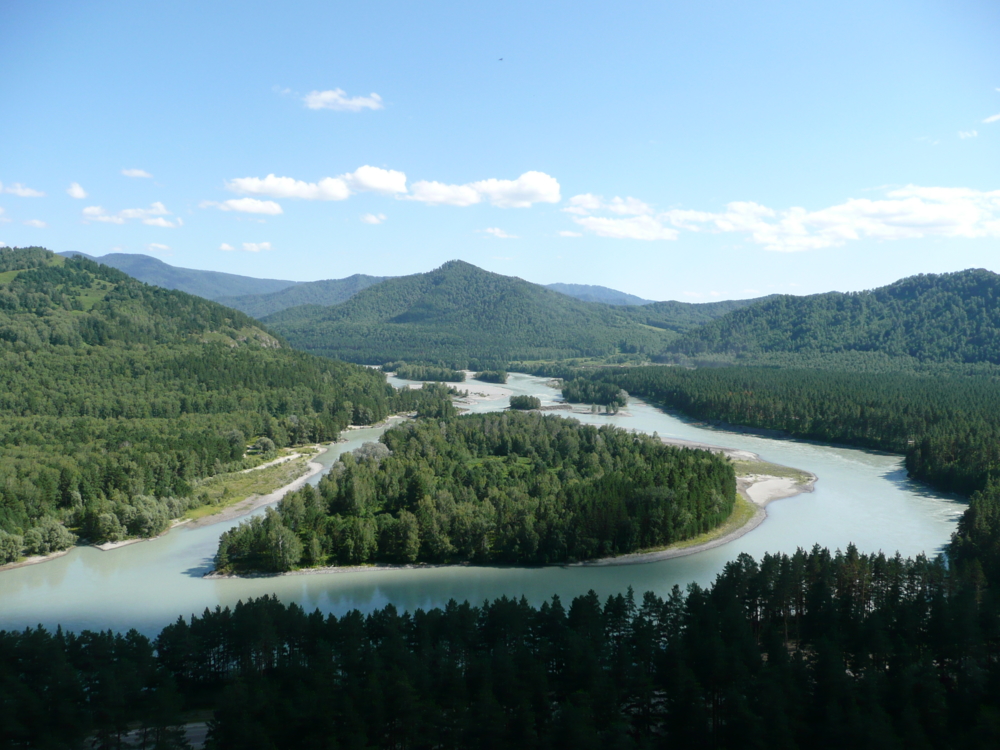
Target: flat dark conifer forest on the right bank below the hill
{"points": [[946, 427]]}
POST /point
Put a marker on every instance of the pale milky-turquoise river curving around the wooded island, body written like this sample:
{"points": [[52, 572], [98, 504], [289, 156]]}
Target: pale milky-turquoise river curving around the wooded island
{"points": [[861, 497]]}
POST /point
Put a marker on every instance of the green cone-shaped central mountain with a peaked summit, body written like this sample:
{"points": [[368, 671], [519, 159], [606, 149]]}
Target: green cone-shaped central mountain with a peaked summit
{"points": [[463, 316]]}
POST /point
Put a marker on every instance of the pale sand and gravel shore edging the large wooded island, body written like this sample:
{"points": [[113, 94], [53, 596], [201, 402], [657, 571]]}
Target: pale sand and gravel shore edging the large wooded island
{"points": [[757, 489]]}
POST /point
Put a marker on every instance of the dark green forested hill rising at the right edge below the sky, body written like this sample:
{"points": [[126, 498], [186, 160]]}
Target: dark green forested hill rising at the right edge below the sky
{"points": [[951, 317]]}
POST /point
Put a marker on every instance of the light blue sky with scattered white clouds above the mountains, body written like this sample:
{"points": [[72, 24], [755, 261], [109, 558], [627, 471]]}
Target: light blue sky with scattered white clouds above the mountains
{"points": [[689, 151]]}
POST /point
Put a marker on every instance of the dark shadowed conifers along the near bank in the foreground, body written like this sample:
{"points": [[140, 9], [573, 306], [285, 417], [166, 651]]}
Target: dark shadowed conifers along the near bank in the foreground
{"points": [[809, 650]]}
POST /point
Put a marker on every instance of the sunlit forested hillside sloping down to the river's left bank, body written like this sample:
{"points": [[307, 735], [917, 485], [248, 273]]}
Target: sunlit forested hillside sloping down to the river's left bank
{"points": [[116, 396]]}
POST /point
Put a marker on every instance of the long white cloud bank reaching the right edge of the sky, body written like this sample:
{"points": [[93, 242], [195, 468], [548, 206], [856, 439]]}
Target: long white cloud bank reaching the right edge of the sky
{"points": [[910, 212]]}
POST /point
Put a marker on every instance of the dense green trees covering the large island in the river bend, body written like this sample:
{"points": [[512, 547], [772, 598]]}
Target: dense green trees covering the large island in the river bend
{"points": [[505, 487]]}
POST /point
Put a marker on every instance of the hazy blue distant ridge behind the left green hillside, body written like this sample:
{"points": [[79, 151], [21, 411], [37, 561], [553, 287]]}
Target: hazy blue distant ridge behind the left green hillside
{"points": [[207, 284]]}
